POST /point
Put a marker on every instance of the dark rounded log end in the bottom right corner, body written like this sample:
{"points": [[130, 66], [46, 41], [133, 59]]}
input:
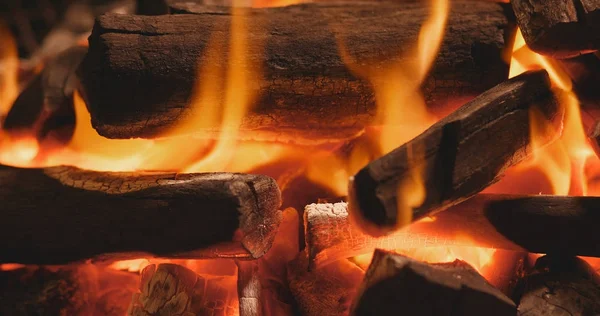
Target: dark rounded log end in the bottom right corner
{"points": [[560, 286]]}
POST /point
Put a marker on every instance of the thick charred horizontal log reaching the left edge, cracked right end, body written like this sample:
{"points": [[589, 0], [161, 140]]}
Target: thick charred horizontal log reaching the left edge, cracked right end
{"points": [[61, 214]]}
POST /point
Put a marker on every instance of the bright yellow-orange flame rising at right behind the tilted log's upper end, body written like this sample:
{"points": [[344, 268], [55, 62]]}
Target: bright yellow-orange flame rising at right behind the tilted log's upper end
{"points": [[563, 161]]}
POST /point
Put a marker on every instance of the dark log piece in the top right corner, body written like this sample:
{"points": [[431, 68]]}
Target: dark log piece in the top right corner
{"points": [[559, 28]]}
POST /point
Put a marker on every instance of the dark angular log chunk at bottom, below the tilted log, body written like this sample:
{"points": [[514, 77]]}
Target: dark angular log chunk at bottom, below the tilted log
{"points": [[396, 283]]}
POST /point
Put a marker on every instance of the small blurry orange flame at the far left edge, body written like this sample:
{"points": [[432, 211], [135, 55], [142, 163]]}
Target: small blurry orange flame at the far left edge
{"points": [[9, 67]]}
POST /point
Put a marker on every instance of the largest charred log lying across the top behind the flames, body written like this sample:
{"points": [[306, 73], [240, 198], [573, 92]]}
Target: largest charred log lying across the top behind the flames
{"points": [[140, 72]]}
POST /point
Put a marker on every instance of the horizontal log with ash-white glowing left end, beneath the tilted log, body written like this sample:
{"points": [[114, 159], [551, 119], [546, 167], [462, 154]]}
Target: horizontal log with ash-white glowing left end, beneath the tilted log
{"points": [[515, 223]]}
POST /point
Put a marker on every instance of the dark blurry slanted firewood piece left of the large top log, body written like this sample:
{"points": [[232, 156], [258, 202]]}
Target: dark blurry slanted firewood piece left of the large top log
{"points": [[46, 104]]}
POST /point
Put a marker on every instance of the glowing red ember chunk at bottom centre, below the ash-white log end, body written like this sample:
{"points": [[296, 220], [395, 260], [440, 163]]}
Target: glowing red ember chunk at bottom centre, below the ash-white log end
{"points": [[326, 291]]}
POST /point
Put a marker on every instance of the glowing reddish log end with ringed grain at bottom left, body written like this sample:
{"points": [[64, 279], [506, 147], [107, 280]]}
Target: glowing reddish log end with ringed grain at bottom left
{"points": [[170, 289]]}
